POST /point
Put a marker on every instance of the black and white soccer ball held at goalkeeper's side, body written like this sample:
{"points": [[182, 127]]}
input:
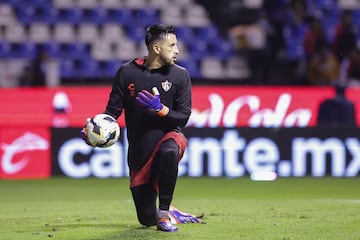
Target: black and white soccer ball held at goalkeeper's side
{"points": [[102, 130]]}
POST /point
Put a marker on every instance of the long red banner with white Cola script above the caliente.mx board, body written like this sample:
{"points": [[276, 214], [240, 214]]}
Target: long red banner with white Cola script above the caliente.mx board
{"points": [[213, 106]]}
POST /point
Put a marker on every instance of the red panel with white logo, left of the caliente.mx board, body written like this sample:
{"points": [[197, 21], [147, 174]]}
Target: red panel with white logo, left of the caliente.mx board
{"points": [[25, 156]]}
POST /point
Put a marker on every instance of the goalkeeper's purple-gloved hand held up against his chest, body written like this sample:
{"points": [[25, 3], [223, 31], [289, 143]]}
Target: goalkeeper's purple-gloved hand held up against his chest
{"points": [[151, 101]]}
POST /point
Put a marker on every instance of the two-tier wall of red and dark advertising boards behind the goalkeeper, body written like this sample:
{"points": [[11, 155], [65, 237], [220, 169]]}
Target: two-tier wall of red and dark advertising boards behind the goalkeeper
{"points": [[233, 132]]}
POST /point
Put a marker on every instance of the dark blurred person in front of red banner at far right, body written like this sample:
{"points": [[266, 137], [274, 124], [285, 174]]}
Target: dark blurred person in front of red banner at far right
{"points": [[337, 111]]}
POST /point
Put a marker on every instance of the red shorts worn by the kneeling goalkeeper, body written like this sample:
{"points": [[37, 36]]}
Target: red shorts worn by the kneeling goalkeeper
{"points": [[142, 176]]}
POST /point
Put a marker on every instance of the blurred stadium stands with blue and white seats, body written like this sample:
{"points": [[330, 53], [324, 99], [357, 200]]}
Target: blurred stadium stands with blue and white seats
{"points": [[86, 40]]}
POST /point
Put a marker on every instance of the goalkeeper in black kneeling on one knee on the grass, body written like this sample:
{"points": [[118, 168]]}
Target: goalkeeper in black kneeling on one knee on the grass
{"points": [[155, 95]]}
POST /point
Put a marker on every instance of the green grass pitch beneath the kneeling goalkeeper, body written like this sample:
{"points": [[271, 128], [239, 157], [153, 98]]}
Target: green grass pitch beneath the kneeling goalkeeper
{"points": [[89, 209]]}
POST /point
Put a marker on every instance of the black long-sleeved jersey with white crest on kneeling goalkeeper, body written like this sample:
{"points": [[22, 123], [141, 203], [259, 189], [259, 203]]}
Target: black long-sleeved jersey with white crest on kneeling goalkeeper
{"points": [[145, 128]]}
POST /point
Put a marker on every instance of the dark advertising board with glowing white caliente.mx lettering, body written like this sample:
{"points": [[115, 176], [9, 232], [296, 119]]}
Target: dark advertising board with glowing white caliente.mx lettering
{"points": [[224, 152]]}
